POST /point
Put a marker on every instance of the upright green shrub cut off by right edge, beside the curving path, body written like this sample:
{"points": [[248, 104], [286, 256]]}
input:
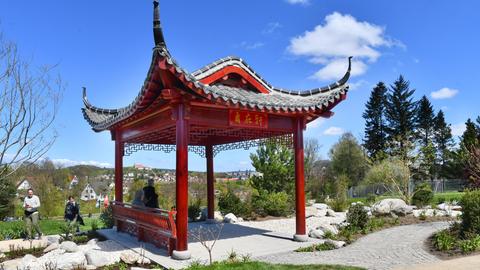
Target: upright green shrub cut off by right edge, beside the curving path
{"points": [[470, 203]]}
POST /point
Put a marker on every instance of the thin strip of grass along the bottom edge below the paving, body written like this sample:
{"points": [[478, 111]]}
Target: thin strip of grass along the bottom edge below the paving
{"points": [[267, 266]]}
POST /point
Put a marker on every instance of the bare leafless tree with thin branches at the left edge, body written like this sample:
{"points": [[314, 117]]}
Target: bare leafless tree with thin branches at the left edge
{"points": [[29, 102]]}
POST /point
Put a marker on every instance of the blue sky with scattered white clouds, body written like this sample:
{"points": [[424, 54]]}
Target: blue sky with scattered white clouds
{"points": [[106, 47]]}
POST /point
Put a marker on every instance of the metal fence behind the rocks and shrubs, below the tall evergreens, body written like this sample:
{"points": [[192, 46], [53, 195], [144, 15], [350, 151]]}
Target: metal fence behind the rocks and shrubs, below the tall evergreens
{"points": [[438, 186]]}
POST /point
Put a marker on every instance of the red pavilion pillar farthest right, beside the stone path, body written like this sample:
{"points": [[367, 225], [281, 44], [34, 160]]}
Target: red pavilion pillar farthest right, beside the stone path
{"points": [[300, 233]]}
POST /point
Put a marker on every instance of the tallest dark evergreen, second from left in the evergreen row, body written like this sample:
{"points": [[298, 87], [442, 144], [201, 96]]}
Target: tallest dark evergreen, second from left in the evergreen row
{"points": [[400, 115]]}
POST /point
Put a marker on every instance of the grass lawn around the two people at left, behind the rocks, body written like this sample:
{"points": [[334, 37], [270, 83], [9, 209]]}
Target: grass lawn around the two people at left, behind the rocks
{"points": [[49, 226]]}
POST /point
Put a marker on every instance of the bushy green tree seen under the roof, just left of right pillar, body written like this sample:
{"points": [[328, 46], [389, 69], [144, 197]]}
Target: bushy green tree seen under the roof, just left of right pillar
{"points": [[276, 164]]}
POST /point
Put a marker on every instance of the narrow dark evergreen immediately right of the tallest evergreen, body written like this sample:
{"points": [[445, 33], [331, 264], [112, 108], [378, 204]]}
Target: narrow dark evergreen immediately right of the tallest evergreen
{"points": [[425, 122]]}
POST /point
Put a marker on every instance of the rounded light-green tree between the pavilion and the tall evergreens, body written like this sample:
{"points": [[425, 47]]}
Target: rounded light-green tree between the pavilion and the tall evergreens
{"points": [[348, 159]]}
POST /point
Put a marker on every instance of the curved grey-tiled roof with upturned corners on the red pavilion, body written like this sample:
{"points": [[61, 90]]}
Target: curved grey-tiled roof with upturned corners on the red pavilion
{"points": [[205, 84]]}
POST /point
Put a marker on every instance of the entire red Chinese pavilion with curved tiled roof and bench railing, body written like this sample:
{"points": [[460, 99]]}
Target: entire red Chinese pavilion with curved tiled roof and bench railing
{"points": [[224, 105]]}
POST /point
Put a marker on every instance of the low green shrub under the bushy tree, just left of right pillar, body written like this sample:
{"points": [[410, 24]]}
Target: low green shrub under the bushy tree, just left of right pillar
{"points": [[275, 204]]}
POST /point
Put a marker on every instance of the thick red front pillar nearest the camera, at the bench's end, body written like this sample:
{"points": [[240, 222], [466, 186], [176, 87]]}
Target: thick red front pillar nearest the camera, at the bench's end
{"points": [[181, 252]]}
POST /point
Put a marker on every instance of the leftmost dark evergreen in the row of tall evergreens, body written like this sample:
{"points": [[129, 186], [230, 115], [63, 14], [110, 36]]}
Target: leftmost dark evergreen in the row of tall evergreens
{"points": [[375, 141]]}
